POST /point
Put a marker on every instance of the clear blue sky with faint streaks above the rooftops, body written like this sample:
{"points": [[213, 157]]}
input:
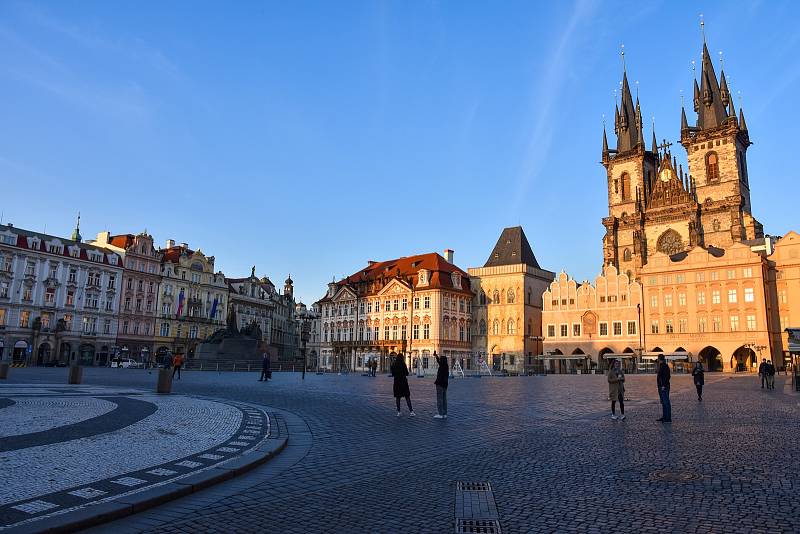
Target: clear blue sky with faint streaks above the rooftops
{"points": [[310, 137]]}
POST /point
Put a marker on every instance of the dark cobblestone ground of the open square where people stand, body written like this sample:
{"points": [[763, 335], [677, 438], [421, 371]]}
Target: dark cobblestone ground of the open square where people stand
{"points": [[555, 460]]}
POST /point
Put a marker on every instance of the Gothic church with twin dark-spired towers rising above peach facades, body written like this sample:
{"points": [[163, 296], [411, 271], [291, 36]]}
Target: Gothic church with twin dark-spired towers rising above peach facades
{"points": [[653, 206]]}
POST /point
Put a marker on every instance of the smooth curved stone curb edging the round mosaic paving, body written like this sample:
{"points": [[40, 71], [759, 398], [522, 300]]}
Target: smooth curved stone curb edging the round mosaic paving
{"points": [[98, 514]]}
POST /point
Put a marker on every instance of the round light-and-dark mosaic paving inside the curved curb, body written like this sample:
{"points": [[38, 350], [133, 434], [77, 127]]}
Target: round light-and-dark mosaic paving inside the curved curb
{"points": [[65, 448]]}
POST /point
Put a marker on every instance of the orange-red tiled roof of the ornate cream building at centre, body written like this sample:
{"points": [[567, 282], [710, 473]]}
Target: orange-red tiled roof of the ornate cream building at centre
{"points": [[404, 268]]}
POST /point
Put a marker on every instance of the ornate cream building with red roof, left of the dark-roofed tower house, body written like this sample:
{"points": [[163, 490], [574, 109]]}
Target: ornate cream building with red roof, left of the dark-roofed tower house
{"points": [[411, 306]]}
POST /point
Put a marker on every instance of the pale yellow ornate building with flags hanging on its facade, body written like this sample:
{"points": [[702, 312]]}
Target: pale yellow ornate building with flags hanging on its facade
{"points": [[192, 303]]}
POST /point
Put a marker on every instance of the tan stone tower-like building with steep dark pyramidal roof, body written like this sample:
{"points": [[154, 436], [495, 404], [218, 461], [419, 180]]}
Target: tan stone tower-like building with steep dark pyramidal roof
{"points": [[507, 308]]}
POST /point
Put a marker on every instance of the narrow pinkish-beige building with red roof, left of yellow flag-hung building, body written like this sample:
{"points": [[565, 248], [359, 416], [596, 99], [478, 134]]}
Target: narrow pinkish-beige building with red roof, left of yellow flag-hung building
{"points": [[141, 278]]}
